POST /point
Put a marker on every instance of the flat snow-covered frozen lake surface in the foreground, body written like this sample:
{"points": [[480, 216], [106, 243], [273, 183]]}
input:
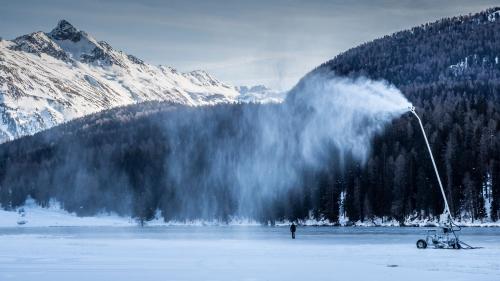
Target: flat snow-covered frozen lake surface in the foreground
{"points": [[240, 253]]}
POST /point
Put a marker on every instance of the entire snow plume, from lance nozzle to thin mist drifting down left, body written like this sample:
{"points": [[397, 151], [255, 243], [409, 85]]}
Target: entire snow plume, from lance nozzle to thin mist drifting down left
{"points": [[256, 153]]}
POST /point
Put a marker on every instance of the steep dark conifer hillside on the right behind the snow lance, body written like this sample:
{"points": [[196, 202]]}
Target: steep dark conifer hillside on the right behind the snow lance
{"points": [[450, 71]]}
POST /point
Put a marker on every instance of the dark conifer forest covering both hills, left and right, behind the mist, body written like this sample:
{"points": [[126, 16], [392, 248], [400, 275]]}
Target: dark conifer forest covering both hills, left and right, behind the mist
{"points": [[132, 160]]}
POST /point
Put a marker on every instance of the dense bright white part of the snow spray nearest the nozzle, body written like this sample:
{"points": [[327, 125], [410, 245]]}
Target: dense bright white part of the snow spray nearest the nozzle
{"points": [[344, 112]]}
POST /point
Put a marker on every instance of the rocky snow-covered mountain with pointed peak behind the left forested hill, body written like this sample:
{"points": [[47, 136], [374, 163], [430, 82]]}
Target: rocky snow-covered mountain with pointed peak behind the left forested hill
{"points": [[50, 78]]}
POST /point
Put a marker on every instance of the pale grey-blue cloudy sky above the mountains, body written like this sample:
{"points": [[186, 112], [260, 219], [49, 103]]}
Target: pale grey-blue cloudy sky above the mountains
{"points": [[273, 43]]}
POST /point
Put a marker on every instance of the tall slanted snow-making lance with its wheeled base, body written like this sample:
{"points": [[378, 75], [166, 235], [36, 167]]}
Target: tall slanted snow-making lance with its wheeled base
{"points": [[447, 236]]}
